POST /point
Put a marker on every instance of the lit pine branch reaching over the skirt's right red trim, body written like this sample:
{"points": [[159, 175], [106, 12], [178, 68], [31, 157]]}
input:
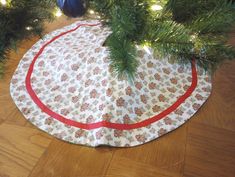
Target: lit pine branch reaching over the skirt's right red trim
{"points": [[170, 39]]}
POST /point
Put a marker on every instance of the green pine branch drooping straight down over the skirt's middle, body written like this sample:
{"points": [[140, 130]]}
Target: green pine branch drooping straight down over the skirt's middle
{"points": [[127, 19]]}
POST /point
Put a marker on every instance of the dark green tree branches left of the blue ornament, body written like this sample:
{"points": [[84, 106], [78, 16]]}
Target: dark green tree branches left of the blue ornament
{"points": [[20, 19]]}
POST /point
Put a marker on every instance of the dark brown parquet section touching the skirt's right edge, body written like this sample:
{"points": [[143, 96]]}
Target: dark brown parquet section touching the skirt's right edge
{"points": [[219, 110]]}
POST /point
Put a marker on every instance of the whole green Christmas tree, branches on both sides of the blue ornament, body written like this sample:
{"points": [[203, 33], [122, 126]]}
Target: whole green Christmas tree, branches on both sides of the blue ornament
{"points": [[181, 30]]}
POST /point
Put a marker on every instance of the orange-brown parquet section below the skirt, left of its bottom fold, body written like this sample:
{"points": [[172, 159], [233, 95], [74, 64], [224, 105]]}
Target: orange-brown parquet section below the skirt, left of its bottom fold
{"points": [[67, 160]]}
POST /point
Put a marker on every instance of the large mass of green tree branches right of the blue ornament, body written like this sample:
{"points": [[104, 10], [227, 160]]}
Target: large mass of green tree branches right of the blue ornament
{"points": [[182, 30]]}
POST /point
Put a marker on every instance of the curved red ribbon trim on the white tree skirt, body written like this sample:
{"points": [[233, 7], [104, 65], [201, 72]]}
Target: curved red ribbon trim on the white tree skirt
{"points": [[90, 126]]}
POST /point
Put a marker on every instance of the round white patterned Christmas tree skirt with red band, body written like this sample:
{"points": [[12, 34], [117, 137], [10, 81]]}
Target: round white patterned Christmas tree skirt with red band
{"points": [[64, 85]]}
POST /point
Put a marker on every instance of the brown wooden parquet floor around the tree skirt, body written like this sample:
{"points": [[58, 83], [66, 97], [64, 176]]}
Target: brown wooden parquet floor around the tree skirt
{"points": [[203, 147]]}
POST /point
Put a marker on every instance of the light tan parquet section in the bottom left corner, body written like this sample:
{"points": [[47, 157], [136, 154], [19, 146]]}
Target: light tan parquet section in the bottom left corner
{"points": [[20, 149]]}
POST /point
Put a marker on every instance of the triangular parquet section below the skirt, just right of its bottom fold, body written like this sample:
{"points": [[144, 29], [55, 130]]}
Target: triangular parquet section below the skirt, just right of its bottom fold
{"points": [[166, 152]]}
